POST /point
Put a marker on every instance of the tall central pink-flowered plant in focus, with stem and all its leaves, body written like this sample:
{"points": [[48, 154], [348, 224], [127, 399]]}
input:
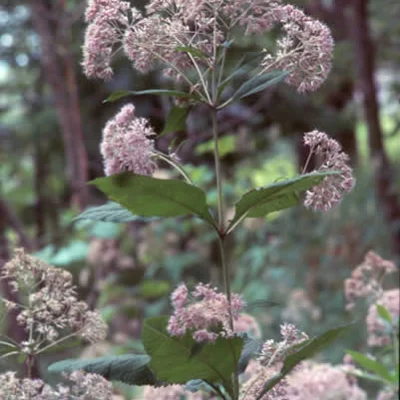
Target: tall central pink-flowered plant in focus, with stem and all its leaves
{"points": [[200, 347]]}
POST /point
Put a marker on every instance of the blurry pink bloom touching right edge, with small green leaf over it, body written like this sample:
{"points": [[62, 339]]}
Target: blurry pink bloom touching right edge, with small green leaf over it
{"points": [[380, 331]]}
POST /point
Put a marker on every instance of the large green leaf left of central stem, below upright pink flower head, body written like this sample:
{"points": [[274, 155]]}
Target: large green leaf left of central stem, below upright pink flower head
{"points": [[151, 197]]}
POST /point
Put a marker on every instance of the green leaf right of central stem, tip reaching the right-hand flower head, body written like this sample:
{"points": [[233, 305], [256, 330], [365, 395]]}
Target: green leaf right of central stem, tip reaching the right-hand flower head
{"points": [[261, 201]]}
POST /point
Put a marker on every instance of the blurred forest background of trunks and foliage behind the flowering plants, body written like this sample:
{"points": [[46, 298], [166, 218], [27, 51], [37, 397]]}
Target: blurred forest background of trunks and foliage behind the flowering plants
{"points": [[290, 266]]}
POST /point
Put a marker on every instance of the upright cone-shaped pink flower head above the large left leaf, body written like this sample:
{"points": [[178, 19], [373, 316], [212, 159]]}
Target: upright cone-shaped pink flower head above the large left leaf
{"points": [[126, 145]]}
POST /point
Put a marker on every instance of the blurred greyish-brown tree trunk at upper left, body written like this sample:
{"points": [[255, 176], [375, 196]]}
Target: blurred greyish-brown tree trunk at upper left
{"points": [[53, 26]]}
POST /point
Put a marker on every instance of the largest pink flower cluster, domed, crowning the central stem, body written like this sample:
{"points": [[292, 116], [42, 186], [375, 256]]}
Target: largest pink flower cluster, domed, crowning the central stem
{"points": [[305, 50]]}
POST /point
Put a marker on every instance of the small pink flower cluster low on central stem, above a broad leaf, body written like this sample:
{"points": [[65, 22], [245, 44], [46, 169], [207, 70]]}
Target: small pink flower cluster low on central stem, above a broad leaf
{"points": [[204, 312]]}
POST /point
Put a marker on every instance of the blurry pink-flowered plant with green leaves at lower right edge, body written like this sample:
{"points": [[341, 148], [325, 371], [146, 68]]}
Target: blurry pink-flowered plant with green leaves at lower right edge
{"points": [[380, 363]]}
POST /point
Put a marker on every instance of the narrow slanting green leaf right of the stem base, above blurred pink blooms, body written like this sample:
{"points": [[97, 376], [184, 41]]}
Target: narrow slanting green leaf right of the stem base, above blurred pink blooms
{"points": [[307, 350]]}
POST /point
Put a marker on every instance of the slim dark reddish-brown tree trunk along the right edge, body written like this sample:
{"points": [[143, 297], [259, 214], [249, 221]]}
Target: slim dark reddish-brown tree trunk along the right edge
{"points": [[365, 56]]}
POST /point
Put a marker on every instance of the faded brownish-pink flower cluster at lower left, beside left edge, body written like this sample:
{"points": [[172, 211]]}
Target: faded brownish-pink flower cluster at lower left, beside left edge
{"points": [[51, 311]]}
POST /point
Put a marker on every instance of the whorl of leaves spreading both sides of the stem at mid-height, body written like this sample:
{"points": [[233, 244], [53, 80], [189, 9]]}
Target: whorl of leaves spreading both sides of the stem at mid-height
{"points": [[145, 196]]}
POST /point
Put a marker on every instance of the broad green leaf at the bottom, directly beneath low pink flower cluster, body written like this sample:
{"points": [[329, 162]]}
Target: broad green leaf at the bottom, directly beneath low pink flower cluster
{"points": [[174, 361]]}
